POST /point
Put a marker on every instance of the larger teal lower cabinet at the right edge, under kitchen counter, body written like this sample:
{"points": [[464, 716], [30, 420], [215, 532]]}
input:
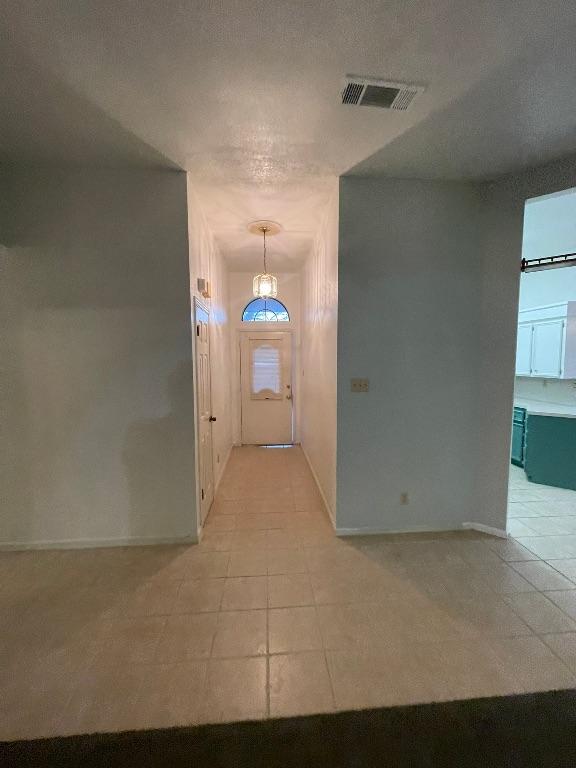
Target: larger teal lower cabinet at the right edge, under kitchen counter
{"points": [[550, 450]]}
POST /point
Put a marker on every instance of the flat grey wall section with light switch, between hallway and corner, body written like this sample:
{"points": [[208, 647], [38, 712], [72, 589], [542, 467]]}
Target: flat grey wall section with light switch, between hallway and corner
{"points": [[408, 320]]}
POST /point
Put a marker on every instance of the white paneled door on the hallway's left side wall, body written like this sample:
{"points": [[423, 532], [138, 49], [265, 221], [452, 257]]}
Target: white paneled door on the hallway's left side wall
{"points": [[204, 405]]}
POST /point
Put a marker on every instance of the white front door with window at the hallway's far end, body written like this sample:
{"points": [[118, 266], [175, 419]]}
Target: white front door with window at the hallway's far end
{"points": [[266, 386]]}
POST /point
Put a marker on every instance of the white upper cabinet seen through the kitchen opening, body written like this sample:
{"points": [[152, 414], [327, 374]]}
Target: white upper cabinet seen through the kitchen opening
{"points": [[546, 342]]}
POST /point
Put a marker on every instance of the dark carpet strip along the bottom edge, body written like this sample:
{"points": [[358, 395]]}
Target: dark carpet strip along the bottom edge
{"points": [[529, 730]]}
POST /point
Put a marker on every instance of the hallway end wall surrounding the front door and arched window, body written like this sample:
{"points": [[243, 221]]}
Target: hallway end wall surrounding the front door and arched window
{"points": [[240, 293]]}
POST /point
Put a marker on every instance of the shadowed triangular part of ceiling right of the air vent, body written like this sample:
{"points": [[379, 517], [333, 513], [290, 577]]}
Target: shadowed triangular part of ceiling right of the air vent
{"points": [[522, 114]]}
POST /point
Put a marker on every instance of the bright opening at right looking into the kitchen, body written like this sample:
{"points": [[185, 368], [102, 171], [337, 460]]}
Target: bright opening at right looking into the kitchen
{"points": [[542, 492]]}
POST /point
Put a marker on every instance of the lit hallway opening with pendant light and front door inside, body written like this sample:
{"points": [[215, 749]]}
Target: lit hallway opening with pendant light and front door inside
{"points": [[267, 377]]}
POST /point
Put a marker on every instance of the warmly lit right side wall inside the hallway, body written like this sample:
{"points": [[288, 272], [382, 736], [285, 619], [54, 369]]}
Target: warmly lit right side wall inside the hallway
{"points": [[319, 344]]}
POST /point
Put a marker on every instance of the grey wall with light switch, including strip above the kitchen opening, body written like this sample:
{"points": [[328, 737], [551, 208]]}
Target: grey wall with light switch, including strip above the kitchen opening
{"points": [[428, 304]]}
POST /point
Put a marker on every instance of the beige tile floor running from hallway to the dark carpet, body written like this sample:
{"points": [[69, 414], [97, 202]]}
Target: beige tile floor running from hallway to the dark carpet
{"points": [[273, 615]]}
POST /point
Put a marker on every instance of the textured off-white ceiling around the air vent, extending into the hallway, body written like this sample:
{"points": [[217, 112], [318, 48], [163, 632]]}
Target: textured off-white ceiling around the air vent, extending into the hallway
{"points": [[244, 94]]}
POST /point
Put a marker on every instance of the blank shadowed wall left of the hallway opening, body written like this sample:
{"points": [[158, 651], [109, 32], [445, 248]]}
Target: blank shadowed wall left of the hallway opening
{"points": [[98, 434]]}
